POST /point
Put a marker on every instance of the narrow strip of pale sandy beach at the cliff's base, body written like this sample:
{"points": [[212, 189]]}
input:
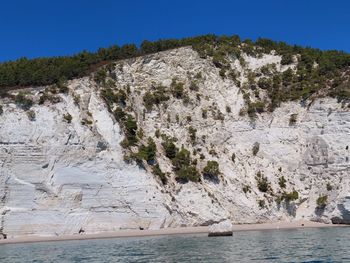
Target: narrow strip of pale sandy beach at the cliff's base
{"points": [[280, 225]]}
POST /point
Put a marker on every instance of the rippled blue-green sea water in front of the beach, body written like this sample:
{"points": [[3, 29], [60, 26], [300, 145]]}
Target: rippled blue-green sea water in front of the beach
{"points": [[298, 245]]}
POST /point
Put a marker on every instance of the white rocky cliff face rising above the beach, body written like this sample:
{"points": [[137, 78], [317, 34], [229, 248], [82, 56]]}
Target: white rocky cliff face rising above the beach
{"points": [[64, 178]]}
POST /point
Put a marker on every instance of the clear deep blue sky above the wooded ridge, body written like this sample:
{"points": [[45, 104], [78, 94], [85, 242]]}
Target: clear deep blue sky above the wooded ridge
{"points": [[61, 27]]}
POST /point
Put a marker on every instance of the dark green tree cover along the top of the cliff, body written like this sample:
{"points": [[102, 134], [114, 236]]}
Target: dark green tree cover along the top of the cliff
{"points": [[316, 70]]}
